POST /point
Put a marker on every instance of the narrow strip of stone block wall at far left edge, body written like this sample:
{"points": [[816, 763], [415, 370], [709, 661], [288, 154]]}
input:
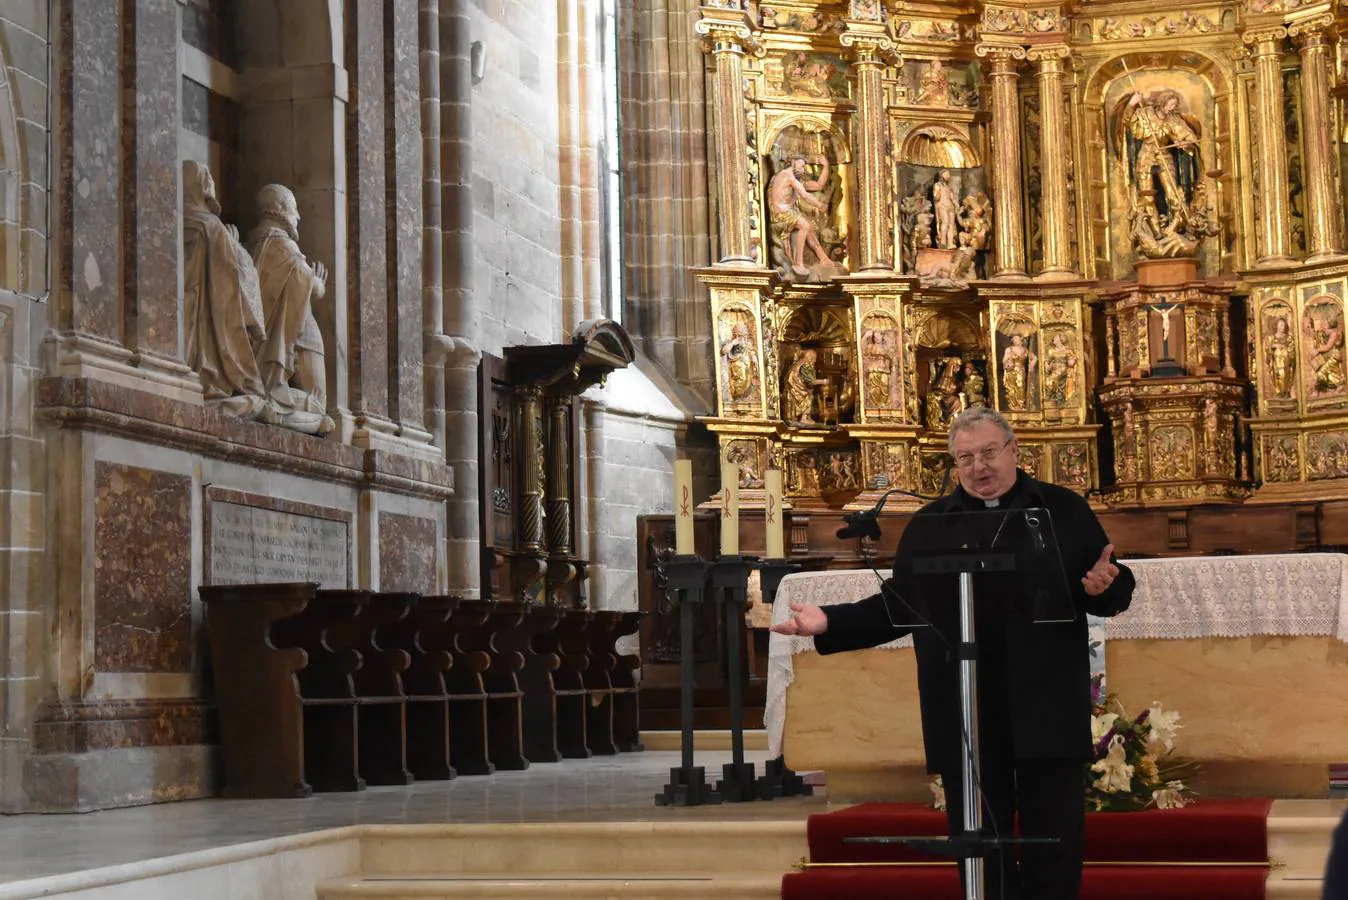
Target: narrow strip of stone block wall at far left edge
{"points": [[24, 288]]}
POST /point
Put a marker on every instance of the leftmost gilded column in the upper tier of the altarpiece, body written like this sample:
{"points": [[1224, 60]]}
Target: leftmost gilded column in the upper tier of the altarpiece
{"points": [[727, 33]]}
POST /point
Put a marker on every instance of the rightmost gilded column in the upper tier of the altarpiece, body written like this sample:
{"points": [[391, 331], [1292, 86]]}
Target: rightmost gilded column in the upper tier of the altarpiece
{"points": [[1314, 40]]}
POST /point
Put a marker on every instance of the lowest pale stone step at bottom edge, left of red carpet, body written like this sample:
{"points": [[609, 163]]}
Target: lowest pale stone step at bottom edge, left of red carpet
{"points": [[576, 886]]}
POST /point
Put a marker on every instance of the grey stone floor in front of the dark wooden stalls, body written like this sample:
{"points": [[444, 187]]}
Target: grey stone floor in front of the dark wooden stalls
{"points": [[598, 790]]}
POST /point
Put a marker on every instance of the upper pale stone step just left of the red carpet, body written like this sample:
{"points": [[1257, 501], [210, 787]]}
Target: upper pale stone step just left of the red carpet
{"points": [[607, 848]]}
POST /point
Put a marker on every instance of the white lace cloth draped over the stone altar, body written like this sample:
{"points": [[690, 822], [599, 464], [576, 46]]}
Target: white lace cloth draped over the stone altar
{"points": [[1291, 595]]}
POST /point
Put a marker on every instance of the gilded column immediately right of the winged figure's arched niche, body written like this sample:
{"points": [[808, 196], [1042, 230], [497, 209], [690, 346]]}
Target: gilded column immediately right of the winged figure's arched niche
{"points": [[1272, 150]]}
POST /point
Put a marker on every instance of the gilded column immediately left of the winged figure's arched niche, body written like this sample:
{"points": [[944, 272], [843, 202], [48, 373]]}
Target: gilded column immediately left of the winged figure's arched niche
{"points": [[1053, 158]]}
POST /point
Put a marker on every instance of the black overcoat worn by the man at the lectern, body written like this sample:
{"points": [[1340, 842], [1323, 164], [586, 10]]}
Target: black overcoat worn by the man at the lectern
{"points": [[1037, 677]]}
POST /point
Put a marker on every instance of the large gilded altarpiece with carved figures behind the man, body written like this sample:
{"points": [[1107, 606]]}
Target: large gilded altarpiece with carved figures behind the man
{"points": [[1047, 208]]}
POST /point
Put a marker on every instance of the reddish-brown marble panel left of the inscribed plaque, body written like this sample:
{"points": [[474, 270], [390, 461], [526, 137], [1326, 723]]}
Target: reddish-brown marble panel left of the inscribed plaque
{"points": [[142, 571]]}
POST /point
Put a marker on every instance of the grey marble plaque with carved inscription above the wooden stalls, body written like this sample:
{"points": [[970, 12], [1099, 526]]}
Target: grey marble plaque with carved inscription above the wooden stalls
{"points": [[251, 545]]}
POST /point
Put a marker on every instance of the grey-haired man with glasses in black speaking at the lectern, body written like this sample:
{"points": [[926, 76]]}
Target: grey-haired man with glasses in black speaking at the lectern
{"points": [[1035, 678]]}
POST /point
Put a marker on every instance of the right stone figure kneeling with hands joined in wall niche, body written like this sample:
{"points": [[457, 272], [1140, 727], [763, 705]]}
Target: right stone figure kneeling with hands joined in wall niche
{"points": [[292, 355]]}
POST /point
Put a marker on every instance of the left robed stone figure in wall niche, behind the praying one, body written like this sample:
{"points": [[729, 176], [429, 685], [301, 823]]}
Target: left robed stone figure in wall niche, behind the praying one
{"points": [[223, 307]]}
